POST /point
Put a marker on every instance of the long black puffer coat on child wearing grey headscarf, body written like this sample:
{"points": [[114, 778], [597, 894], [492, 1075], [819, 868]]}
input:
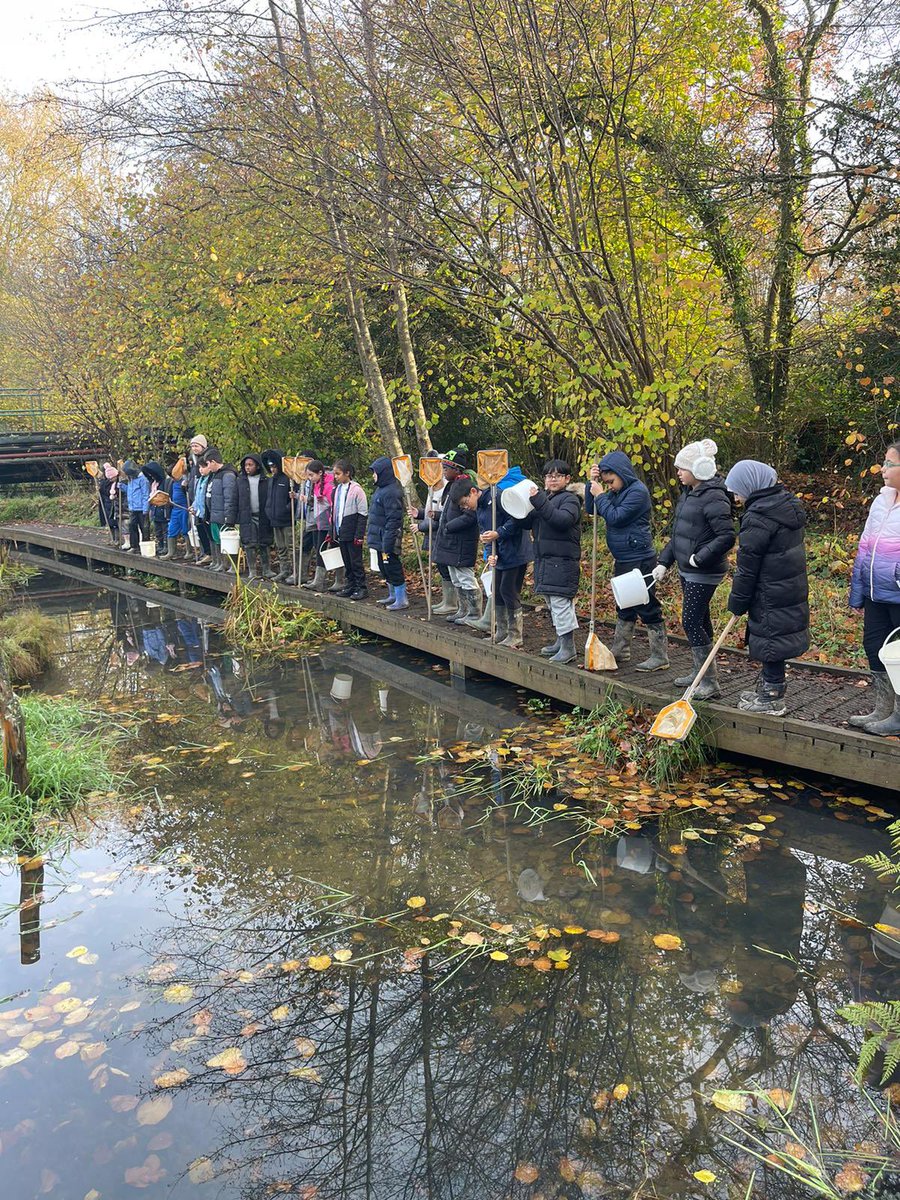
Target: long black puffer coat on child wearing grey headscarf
{"points": [[771, 578]]}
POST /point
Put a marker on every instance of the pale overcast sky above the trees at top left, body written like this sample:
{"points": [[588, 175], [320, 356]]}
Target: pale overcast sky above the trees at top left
{"points": [[51, 43]]}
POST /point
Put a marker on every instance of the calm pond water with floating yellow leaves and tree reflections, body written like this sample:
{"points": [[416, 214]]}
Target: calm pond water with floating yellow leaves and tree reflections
{"points": [[165, 1029]]}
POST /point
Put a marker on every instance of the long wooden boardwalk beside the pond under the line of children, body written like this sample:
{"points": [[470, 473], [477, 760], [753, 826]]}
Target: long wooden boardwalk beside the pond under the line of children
{"points": [[814, 735]]}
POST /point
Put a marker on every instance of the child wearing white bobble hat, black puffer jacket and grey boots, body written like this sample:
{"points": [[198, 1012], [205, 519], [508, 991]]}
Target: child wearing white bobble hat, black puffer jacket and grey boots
{"points": [[703, 536]]}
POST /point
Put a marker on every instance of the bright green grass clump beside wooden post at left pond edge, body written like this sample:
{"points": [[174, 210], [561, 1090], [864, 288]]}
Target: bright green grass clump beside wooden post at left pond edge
{"points": [[69, 758]]}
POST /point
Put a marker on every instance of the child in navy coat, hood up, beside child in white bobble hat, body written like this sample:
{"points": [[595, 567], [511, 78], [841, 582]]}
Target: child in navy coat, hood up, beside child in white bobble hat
{"points": [[625, 503]]}
